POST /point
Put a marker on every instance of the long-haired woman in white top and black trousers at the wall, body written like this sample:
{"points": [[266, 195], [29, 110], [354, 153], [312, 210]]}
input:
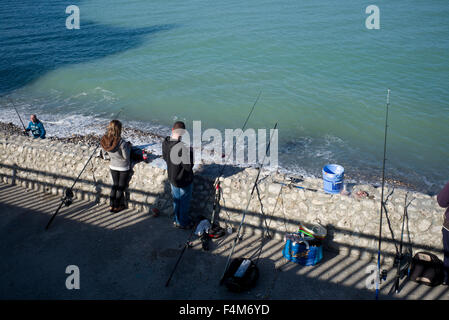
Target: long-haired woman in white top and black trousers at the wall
{"points": [[119, 151]]}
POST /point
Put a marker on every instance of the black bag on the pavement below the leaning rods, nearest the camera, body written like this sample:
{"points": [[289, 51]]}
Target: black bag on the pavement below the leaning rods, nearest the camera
{"points": [[241, 275]]}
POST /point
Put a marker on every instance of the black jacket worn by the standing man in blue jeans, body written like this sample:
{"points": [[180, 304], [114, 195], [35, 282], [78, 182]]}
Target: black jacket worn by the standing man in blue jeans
{"points": [[180, 175]]}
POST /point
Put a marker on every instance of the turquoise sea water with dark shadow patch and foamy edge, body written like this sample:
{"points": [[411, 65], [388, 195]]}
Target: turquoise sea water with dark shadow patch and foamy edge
{"points": [[322, 74]]}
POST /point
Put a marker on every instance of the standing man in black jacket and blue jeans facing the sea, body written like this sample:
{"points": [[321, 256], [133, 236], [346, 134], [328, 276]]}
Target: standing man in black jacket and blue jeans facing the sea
{"points": [[179, 159]]}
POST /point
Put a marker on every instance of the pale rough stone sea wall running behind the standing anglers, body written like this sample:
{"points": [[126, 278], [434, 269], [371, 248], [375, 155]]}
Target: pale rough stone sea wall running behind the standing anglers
{"points": [[352, 221]]}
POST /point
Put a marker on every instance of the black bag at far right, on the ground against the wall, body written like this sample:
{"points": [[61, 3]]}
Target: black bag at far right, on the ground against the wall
{"points": [[427, 269]]}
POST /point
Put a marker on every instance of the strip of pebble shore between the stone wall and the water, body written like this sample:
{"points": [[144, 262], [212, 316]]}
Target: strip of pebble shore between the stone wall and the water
{"points": [[133, 134]]}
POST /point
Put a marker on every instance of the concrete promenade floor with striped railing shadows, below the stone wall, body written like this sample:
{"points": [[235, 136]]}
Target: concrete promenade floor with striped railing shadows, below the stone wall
{"points": [[130, 255]]}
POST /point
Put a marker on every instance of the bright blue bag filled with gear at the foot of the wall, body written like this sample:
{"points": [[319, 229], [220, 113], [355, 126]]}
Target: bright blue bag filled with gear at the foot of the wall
{"points": [[304, 250]]}
